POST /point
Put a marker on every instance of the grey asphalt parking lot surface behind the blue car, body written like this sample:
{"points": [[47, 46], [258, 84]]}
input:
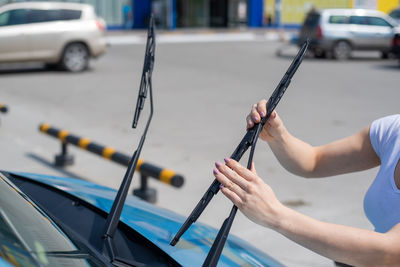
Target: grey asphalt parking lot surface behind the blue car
{"points": [[202, 93]]}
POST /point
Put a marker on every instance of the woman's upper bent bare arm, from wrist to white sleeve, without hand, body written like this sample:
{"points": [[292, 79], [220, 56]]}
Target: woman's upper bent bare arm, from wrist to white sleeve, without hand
{"points": [[353, 153]]}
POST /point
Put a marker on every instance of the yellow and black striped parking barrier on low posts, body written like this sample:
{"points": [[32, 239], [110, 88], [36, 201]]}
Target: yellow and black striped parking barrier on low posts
{"points": [[146, 169]]}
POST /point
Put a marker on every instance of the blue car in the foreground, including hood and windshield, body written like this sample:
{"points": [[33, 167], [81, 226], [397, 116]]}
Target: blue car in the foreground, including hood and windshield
{"points": [[53, 221]]}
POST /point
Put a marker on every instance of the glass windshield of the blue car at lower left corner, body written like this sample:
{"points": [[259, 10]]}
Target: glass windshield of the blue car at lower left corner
{"points": [[30, 238]]}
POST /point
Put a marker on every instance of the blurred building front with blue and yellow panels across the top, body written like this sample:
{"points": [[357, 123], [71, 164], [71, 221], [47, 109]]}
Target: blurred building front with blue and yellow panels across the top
{"points": [[172, 14]]}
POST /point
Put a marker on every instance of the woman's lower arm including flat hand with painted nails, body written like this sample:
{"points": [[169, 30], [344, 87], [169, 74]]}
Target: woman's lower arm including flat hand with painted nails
{"points": [[341, 243]]}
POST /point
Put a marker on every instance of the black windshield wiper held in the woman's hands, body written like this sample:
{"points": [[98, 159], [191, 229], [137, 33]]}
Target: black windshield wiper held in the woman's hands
{"points": [[249, 140]]}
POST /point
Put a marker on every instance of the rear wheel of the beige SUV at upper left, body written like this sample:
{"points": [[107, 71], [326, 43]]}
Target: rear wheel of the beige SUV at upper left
{"points": [[75, 57]]}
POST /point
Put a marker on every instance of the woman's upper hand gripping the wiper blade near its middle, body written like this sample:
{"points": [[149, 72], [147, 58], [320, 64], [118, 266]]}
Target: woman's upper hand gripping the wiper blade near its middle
{"points": [[273, 129]]}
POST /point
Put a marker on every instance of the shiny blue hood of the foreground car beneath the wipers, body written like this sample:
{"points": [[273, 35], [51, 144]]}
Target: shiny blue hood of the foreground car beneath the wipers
{"points": [[160, 225]]}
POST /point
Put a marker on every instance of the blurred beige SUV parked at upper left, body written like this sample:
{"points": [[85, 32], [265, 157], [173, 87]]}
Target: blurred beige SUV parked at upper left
{"points": [[59, 34]]}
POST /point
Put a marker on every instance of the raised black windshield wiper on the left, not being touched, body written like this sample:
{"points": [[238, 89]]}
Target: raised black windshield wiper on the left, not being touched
{"points": [[116, 210]]}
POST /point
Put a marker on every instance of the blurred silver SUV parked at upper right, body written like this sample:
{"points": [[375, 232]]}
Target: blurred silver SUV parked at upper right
{"points": [[337, 32]]}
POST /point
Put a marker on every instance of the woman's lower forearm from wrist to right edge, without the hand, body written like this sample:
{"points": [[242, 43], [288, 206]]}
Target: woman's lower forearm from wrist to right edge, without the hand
{"points": [[341, 243]]}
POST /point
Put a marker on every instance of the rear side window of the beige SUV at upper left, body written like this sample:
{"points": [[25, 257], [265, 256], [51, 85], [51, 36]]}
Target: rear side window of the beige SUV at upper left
{"points": [[39, 15]]}
